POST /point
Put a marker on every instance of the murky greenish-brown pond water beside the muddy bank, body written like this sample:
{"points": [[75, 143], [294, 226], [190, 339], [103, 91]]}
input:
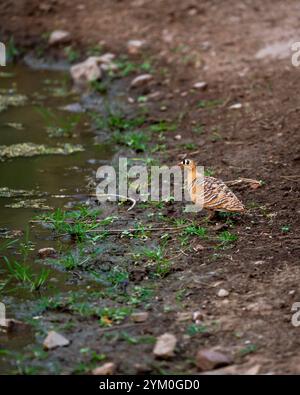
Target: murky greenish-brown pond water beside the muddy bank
{"points": [[47, 175]]}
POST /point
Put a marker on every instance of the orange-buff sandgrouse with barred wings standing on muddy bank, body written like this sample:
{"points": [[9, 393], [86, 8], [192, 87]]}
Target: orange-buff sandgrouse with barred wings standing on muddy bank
{"points": [[215, 195]]}
